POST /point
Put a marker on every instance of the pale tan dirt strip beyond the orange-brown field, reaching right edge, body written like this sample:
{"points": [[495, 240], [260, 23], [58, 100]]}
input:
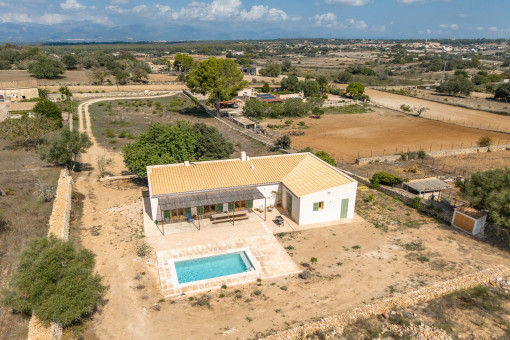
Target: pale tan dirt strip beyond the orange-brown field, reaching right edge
{"points": [[443, 112]]}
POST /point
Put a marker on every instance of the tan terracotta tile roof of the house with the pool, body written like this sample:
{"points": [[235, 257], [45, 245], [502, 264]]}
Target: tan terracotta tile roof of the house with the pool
{"points": [[302, 173]]}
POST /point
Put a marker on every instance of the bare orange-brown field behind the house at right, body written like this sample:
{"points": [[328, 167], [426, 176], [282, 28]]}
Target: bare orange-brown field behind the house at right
{"points": [[383, 132]]}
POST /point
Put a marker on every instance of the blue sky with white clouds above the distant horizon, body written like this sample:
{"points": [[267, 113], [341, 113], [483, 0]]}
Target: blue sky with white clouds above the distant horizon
{"points": [[46, 20]]}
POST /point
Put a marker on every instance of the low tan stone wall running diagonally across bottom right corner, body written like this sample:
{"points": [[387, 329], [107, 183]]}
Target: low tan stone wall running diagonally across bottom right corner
{"points": [[334, 325]]}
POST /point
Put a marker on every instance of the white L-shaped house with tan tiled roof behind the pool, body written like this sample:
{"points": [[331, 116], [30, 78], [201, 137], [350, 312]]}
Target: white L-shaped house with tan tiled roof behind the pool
{"points": [[307, 188]]}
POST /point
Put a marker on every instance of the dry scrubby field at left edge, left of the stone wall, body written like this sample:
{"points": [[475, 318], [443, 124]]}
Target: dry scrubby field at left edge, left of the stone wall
{"points": [[21, 176]]}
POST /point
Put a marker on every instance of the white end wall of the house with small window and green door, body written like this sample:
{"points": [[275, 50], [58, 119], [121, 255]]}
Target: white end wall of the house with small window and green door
{"points": [[332, 199]]}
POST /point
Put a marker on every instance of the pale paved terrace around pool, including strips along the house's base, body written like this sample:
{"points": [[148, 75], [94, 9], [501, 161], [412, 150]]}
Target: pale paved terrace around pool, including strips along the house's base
{"points": [[255, 235]]}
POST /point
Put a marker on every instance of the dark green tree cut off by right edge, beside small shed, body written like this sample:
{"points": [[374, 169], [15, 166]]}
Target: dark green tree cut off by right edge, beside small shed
{"points": [[490, 191]]}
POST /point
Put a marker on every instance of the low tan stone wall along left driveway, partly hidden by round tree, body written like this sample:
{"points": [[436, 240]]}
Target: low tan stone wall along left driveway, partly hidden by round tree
{"points": [[59, 226]]}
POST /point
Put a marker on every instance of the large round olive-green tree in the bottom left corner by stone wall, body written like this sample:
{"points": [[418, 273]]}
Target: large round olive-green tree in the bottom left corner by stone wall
{"points": [[55, 281]]}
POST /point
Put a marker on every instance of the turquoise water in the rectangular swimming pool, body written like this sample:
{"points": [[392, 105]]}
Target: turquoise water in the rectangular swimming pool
{"points": [[212, 266]]}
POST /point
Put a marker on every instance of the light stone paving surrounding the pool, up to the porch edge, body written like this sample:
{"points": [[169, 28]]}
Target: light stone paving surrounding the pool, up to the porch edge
{"points": [[267, 255]]}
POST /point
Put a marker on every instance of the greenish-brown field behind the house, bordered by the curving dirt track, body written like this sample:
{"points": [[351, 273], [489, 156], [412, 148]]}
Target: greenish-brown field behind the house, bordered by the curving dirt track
{"points": [[116, 123]]}
